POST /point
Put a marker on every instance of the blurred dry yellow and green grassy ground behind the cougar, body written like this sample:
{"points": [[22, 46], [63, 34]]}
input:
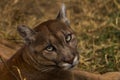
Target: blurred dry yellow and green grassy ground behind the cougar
{"points": [[95, 22]]}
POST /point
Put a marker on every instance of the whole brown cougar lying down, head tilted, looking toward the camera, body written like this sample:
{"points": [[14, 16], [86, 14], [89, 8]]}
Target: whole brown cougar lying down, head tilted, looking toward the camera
{"points": [[50, 53]]}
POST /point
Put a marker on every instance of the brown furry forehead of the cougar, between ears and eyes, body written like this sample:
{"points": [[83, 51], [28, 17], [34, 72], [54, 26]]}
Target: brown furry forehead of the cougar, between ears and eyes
{"points": [[51, 31]]}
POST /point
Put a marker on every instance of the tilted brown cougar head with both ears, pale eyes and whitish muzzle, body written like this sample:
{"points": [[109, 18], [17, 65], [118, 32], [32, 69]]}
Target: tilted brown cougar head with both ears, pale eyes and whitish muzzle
{"points": [[52, 43]]}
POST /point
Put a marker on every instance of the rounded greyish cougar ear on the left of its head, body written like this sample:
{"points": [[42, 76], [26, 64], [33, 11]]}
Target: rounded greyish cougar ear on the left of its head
{"points": [[26, 33]]}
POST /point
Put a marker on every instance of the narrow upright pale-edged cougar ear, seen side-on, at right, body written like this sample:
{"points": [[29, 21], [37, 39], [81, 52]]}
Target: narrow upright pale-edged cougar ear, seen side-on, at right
{"points": [[62, 15]]}
